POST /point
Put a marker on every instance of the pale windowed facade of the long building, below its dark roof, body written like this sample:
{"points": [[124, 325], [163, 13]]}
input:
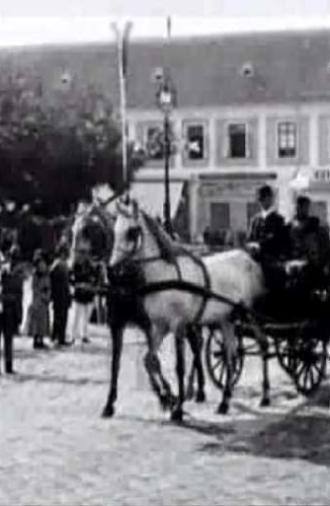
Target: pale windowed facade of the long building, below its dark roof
{"points": [[226, 153]]}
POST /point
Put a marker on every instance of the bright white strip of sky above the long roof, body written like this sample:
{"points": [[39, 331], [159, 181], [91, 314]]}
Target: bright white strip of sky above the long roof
{"points": [[74, 21]]}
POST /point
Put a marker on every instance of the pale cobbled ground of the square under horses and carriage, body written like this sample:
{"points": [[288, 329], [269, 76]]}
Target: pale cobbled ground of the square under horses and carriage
{"points": [[56, 450]]}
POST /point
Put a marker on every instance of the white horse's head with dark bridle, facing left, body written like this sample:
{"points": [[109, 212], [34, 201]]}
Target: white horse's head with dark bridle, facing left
{"points": [[127, 231]]}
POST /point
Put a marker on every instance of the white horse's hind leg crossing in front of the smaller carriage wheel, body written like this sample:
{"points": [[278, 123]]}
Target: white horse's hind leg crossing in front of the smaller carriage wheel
{"points": [[230, 351]]}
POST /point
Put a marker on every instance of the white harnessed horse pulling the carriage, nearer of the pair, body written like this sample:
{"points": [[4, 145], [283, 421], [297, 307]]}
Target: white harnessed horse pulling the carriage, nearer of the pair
{"points": [[233, 274]]}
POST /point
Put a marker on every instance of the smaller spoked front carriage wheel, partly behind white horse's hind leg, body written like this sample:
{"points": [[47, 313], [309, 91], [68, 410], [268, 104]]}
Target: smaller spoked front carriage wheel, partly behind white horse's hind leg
{"points": [[215, 358]]}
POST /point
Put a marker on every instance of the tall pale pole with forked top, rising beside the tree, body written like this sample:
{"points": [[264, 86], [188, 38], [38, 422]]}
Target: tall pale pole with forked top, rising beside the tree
{"points": [[122, 39]]}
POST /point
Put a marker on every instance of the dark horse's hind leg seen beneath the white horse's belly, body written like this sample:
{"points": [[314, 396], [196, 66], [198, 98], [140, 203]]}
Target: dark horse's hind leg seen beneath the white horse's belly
{"points": [[196, 344]]}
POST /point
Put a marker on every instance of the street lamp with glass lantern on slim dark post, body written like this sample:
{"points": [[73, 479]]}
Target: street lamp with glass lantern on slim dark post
{"points": [[166, 102]]}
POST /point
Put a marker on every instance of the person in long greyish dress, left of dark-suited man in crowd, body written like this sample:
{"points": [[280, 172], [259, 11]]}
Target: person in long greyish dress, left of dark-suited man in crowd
{"points": [[41, 293]]}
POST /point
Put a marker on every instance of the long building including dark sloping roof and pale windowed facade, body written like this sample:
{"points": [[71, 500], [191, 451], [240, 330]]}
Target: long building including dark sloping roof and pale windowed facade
{"points": [[250, 109]]}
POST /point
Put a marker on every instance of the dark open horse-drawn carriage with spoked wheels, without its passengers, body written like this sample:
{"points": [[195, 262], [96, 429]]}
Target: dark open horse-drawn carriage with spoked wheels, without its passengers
{"points": [[299, 340]]}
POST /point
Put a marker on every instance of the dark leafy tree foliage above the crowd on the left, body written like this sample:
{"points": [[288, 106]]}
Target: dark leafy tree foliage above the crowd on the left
{"points": [[54, 148]]}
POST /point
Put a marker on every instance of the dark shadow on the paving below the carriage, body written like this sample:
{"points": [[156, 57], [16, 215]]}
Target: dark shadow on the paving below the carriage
{"points": [[300, 434]]}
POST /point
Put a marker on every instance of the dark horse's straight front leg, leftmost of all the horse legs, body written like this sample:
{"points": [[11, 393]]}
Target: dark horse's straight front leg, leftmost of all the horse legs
{"points": [[117, 331]]}
